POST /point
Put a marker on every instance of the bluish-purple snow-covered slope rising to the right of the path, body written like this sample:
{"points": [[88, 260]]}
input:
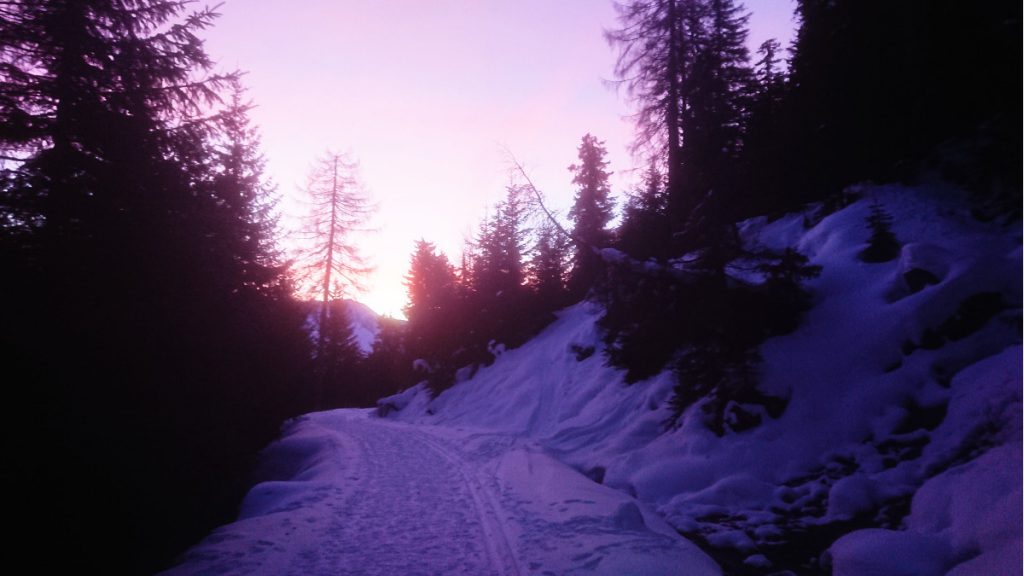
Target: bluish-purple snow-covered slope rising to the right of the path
{"points": [[905, 389]]}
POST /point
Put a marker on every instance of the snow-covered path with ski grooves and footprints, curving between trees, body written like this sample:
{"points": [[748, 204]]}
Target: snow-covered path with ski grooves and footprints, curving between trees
{"points": [[358, 496]]}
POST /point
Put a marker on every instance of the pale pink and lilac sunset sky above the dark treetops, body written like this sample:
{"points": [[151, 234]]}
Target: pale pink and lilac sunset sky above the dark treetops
{"points": [[428, 96]]}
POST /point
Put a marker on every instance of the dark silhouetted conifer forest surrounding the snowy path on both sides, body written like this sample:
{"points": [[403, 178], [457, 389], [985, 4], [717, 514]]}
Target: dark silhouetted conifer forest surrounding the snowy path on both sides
{"points": [[147, 287]]}
